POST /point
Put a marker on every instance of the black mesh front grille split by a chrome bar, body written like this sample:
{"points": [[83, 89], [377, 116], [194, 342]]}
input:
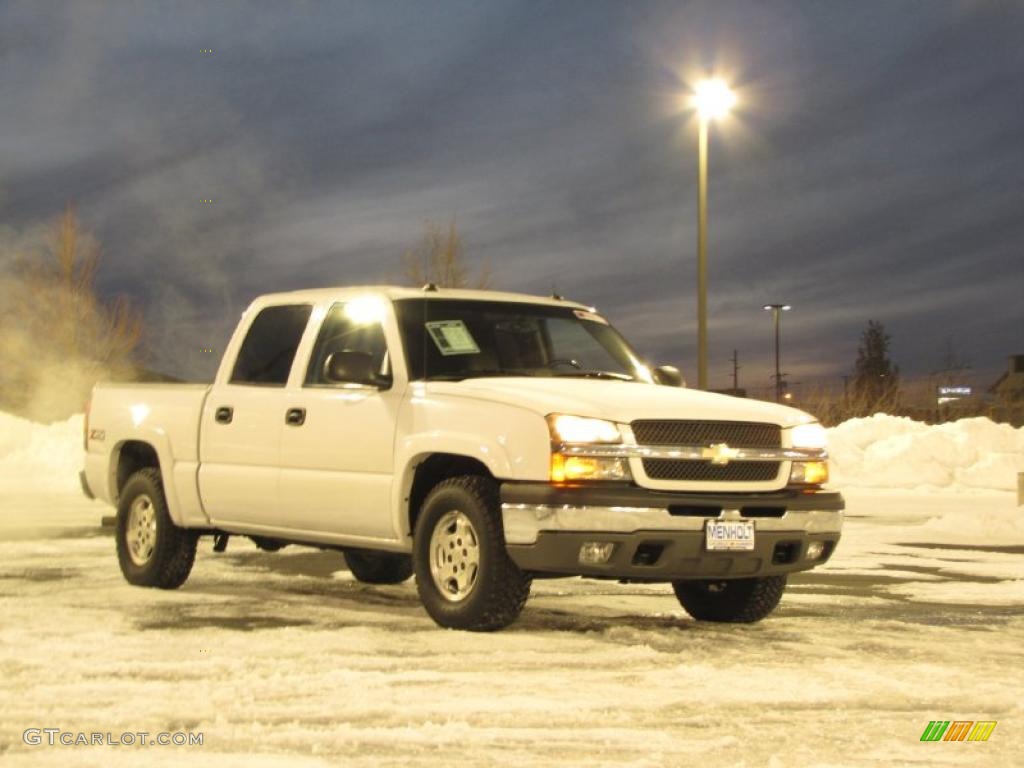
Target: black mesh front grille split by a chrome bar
{"points": [[707, 434]]}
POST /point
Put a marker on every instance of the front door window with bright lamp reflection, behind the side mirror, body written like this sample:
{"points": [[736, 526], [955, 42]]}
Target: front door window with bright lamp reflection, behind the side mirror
{"points": [[350, 328]]}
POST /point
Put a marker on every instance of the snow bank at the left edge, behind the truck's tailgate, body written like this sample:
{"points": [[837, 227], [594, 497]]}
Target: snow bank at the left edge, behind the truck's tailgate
{"points": [[47, 456]]}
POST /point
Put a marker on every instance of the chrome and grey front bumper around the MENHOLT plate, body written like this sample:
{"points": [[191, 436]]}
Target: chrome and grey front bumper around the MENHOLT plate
{"points": [[661, 536]]}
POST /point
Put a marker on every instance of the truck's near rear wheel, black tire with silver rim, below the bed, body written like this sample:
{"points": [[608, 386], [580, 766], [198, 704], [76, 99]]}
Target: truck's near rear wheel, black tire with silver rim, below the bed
{"points": [[152, 550]]}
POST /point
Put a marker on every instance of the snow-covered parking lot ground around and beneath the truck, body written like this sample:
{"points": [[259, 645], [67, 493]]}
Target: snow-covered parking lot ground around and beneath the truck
{"points": [[284, 660]]}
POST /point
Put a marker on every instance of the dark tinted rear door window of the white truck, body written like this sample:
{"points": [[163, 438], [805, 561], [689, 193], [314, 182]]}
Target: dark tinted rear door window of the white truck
{"points": [[267, 354]]}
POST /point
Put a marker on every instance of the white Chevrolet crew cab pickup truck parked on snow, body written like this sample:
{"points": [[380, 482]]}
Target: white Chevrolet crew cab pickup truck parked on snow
{"points": [[477, 440]]}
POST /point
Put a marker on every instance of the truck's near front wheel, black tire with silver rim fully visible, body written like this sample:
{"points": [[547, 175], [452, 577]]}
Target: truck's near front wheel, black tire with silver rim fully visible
{"points": [[495, 589]]}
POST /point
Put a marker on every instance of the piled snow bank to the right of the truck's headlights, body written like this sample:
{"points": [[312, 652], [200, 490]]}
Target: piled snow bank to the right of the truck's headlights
{"points": [[893, 452]]}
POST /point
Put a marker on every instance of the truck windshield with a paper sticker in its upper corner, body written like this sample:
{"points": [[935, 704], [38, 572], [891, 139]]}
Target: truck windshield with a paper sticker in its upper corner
{"points": [[450, 340]]}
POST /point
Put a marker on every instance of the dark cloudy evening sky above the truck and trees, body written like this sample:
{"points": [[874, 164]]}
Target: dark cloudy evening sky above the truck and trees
{"points": [[874, 167]]}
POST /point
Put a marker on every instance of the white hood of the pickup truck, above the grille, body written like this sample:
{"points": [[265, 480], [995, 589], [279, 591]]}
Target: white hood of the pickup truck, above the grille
{"points": [[618, 401]]}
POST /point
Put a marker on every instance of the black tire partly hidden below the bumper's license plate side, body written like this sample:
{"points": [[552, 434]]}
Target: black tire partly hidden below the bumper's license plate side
{"points": [[737, 601]]}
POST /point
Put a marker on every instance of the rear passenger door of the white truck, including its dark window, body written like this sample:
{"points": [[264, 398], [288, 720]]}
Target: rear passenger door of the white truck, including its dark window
{"points": [[243, 419]]}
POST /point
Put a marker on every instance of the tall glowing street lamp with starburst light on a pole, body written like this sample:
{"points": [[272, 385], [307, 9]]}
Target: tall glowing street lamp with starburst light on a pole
{"points": [[713, 100]]}
